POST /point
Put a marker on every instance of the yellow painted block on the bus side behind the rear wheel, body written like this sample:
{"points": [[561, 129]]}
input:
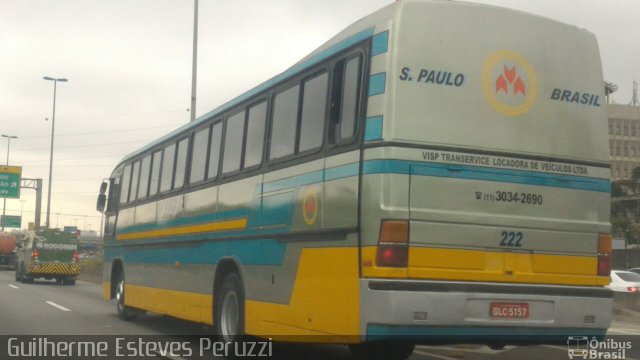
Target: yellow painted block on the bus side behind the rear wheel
{"points": [[324, 299]]}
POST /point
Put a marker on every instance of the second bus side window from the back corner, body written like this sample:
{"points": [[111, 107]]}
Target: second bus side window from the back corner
{"points": [[314, 104]]}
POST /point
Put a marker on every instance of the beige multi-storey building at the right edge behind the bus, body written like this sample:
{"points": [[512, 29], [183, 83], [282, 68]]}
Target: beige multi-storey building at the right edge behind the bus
{"points": [[624, 140]]}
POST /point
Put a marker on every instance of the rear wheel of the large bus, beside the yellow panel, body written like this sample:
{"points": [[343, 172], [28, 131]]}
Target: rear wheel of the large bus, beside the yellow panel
{"points": [[230, 309]]}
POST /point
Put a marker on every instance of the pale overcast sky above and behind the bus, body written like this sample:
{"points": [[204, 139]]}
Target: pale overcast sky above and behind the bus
{"points": [[129, 69]]}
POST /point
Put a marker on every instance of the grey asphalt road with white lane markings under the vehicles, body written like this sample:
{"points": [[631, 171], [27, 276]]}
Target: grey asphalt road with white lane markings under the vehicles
{"points": [[44, 308]]}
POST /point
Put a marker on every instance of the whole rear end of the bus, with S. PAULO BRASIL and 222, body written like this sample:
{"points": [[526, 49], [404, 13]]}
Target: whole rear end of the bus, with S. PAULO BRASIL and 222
{"points": [[485, 203]]}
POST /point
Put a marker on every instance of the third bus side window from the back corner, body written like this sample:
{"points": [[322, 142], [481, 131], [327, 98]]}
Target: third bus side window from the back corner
{"points": [[283, 130]]}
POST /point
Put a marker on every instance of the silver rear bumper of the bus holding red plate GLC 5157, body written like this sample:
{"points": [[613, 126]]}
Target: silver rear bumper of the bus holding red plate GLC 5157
{"points": [[449, 312]]}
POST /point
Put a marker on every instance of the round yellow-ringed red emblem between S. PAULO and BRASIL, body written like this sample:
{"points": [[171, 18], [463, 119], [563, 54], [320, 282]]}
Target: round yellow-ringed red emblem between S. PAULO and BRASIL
{"points": [[509, 82]]}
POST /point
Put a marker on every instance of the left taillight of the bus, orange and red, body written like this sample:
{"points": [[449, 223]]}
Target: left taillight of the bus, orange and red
{"points": [[393, 244]]}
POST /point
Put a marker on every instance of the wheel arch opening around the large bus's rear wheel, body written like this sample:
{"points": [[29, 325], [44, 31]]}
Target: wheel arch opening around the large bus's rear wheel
{"points": [[228, 303]]}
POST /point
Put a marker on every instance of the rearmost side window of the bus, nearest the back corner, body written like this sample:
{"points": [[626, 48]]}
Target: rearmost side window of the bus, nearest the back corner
{"points": [[349, 103]]}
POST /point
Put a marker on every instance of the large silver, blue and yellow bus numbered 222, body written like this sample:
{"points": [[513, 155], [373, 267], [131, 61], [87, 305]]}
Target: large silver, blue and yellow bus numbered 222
{"points": [[437, 171]]}
